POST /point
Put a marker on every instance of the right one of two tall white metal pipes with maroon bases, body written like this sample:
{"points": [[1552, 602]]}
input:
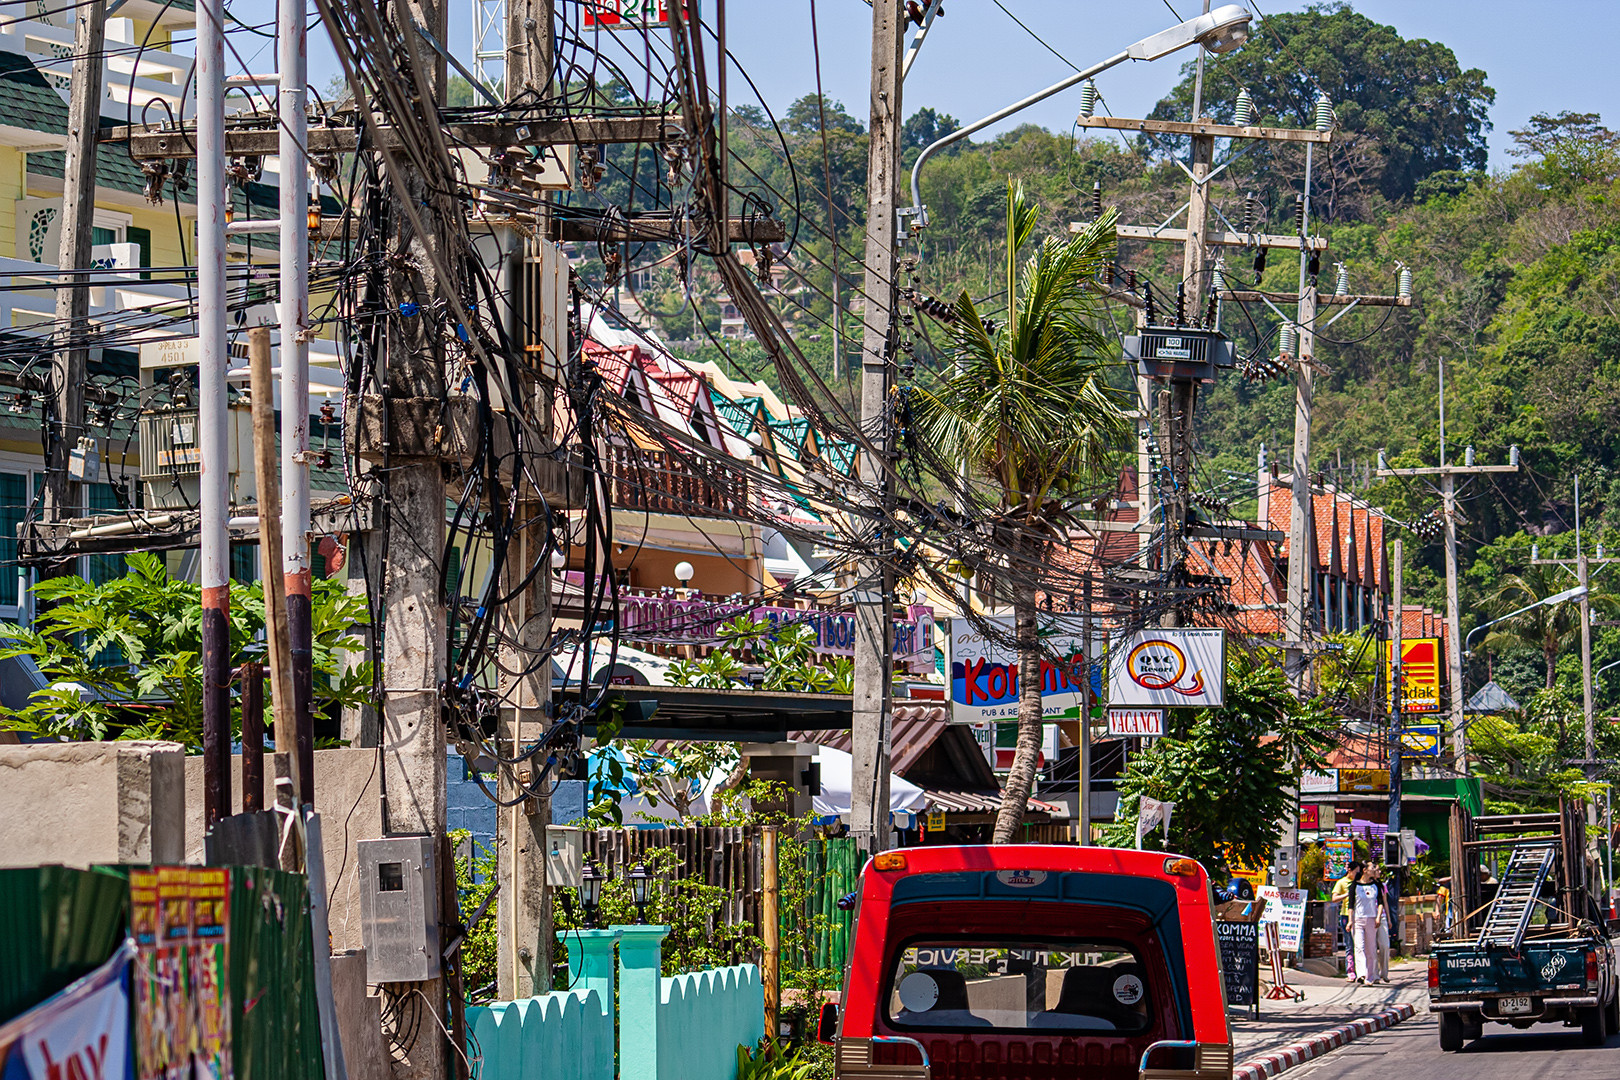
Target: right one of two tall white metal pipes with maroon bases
{"points": [[294, 62]]}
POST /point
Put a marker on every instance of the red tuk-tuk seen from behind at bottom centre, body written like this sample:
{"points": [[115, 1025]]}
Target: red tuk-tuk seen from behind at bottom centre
{"points": [[1033, 963]]}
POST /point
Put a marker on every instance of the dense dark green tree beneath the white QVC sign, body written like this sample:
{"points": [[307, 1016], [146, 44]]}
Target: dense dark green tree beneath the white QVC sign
{"points": [[1230, 773]]}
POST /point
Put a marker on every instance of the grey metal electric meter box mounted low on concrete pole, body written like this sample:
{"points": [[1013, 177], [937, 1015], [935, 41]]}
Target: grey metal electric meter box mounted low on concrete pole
{"points": [[399, 909]]}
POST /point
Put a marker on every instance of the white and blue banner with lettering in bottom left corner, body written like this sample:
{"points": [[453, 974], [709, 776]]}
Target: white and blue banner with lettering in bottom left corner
{"points": [[80, 1034]]}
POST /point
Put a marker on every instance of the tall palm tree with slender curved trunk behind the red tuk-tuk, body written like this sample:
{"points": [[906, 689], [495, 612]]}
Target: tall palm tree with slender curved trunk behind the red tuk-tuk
{"points": [[1030, 412]]}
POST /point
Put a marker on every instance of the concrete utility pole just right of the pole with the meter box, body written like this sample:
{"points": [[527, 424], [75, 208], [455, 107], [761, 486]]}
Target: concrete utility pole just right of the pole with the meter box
{"points": [[524, 903]]}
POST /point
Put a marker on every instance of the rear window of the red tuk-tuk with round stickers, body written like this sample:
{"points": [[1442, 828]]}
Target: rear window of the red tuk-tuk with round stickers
{"points": [[997, 984]]}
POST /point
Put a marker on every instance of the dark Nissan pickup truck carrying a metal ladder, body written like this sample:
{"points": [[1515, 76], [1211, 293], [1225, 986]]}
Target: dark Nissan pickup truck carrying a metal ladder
{"points": [[1532, 948]]}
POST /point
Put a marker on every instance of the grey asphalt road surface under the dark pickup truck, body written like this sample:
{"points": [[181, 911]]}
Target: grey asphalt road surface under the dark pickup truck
{"points": [[1412, 1052]]}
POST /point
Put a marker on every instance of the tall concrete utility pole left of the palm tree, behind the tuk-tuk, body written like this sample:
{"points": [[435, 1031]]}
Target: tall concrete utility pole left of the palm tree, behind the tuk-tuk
{"points": [[872, 718]]}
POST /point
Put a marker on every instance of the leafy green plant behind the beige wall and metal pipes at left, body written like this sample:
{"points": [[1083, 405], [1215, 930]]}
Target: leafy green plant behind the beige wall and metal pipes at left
{"points": [[124, 658]]}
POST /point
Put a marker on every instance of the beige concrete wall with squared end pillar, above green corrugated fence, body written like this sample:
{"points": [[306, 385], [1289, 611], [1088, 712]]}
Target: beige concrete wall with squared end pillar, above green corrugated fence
{"points": [[80, 804]]}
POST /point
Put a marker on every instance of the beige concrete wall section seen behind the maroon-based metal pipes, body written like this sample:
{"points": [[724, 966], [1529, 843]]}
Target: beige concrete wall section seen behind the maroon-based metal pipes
{"points": [[346, 794]]}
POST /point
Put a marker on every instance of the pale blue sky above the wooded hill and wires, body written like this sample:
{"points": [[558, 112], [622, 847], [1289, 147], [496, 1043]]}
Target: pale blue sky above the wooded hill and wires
{"points": [[978, 59]]}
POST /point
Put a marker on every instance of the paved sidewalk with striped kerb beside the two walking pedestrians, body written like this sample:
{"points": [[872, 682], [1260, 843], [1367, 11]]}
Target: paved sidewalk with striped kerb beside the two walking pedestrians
{"points": [[1329, 1003]]}
